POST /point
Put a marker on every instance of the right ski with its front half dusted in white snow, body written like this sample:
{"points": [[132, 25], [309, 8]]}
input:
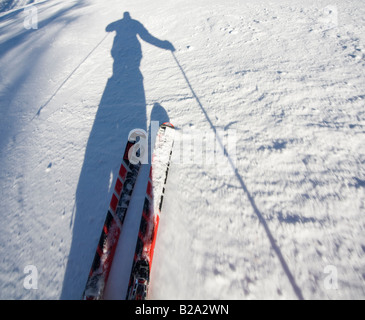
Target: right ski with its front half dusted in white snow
{"points": [[141, 268]]}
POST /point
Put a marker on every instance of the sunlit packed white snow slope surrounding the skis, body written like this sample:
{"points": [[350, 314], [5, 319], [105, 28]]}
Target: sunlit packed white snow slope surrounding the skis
{"points": [[280, 216]]}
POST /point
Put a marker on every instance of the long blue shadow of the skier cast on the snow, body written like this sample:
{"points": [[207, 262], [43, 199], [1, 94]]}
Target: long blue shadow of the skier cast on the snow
{"points": [[122, 108]]}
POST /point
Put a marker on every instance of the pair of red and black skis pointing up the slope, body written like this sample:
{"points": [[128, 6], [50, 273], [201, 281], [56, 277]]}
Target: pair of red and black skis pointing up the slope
{"points": [[128, 173]]}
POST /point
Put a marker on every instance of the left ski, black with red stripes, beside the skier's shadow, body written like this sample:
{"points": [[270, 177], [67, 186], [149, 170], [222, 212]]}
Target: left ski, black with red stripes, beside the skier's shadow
{"points": [[112, 228]]}
